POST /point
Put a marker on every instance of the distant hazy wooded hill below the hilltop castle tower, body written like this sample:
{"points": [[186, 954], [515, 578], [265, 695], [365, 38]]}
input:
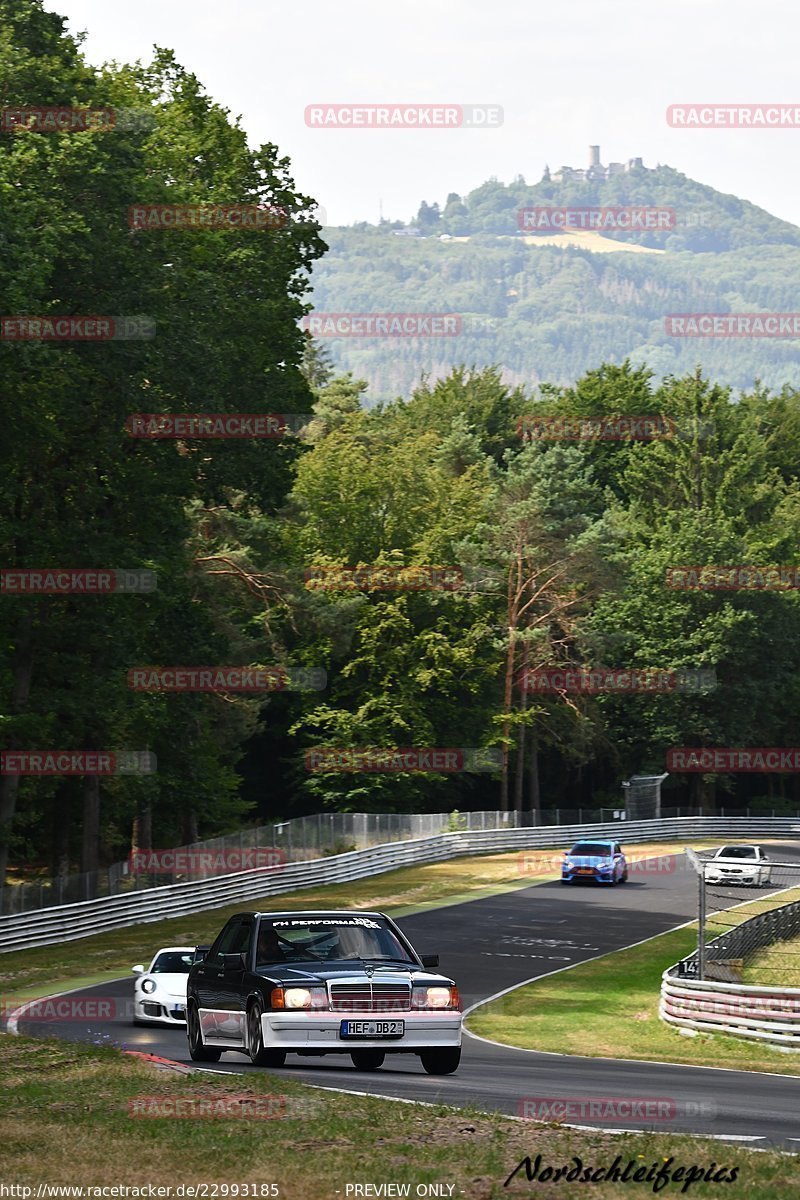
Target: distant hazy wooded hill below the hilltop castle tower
{"points": [[549, 314]]}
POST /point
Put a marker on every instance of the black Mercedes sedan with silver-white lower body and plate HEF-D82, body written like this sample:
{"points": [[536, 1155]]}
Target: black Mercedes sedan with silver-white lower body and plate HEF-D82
{"points": [[318, 983]]}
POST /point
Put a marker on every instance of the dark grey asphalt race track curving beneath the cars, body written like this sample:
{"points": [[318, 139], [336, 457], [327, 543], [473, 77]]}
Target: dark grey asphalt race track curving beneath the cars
{"points": [[492, 945]]}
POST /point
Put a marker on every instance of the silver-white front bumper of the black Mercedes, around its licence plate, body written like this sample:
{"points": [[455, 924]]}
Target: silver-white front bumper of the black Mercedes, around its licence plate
{"points": [[321, 1031]]}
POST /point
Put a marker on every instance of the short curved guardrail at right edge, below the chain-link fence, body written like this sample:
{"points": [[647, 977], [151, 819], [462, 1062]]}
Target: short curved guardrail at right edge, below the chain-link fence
{"points": [[760, 1013]]}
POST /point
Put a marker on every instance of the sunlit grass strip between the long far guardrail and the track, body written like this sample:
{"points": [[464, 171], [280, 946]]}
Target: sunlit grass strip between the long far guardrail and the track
{"points": [[28, 974]]}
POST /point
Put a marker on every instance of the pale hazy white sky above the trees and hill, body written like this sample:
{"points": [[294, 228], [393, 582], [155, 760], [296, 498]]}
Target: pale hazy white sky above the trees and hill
{"points": [[567, 75]]}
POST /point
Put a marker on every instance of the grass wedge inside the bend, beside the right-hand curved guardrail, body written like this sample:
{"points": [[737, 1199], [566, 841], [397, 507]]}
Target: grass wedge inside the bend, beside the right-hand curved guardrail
{"points": [[610, 1009]]}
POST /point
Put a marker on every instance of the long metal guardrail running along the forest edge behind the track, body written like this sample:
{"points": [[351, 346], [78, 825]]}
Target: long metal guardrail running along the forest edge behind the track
{"points": [[75, 921]]}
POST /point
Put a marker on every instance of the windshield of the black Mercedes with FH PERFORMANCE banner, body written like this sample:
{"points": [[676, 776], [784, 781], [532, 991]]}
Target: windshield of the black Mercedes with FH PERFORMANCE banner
{"points": [[328, 940]]}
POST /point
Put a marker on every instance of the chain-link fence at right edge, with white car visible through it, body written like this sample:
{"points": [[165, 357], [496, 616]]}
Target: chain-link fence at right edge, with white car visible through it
{"points": [[749, 917]]}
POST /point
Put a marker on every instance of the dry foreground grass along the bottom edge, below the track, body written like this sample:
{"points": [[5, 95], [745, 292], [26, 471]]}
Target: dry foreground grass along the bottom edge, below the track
{"points": [[65, 1119]]}
